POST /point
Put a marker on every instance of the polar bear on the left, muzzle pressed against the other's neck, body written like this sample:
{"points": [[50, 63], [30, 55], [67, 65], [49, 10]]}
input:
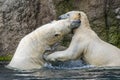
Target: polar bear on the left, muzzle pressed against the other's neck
{"points": [[29, 53]]}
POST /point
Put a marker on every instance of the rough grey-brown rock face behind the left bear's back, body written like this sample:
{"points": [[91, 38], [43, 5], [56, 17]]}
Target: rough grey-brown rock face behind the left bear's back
{"points": [[20, 17]]}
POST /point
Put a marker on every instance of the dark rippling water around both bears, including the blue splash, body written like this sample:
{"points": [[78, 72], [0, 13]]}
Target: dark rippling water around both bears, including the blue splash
{"points": [[67, 71]]}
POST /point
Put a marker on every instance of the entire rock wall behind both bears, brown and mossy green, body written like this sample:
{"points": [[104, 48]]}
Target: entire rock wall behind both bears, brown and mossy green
{"points": [[20, 17]]}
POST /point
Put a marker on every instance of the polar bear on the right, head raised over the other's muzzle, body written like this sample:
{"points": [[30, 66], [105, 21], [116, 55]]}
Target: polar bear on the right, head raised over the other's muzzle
{"points": [[87, 45]]}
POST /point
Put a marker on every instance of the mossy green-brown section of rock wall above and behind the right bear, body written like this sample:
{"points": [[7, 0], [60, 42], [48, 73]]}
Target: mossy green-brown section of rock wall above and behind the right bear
{"points": [[103, 16]]}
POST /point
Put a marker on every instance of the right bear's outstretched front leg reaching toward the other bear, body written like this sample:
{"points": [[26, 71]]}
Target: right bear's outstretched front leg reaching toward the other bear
{"points": [[73, 52]]}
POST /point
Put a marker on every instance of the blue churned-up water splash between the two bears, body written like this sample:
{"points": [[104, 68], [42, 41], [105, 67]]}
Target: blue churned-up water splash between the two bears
{"points": [[78, 64]]}
